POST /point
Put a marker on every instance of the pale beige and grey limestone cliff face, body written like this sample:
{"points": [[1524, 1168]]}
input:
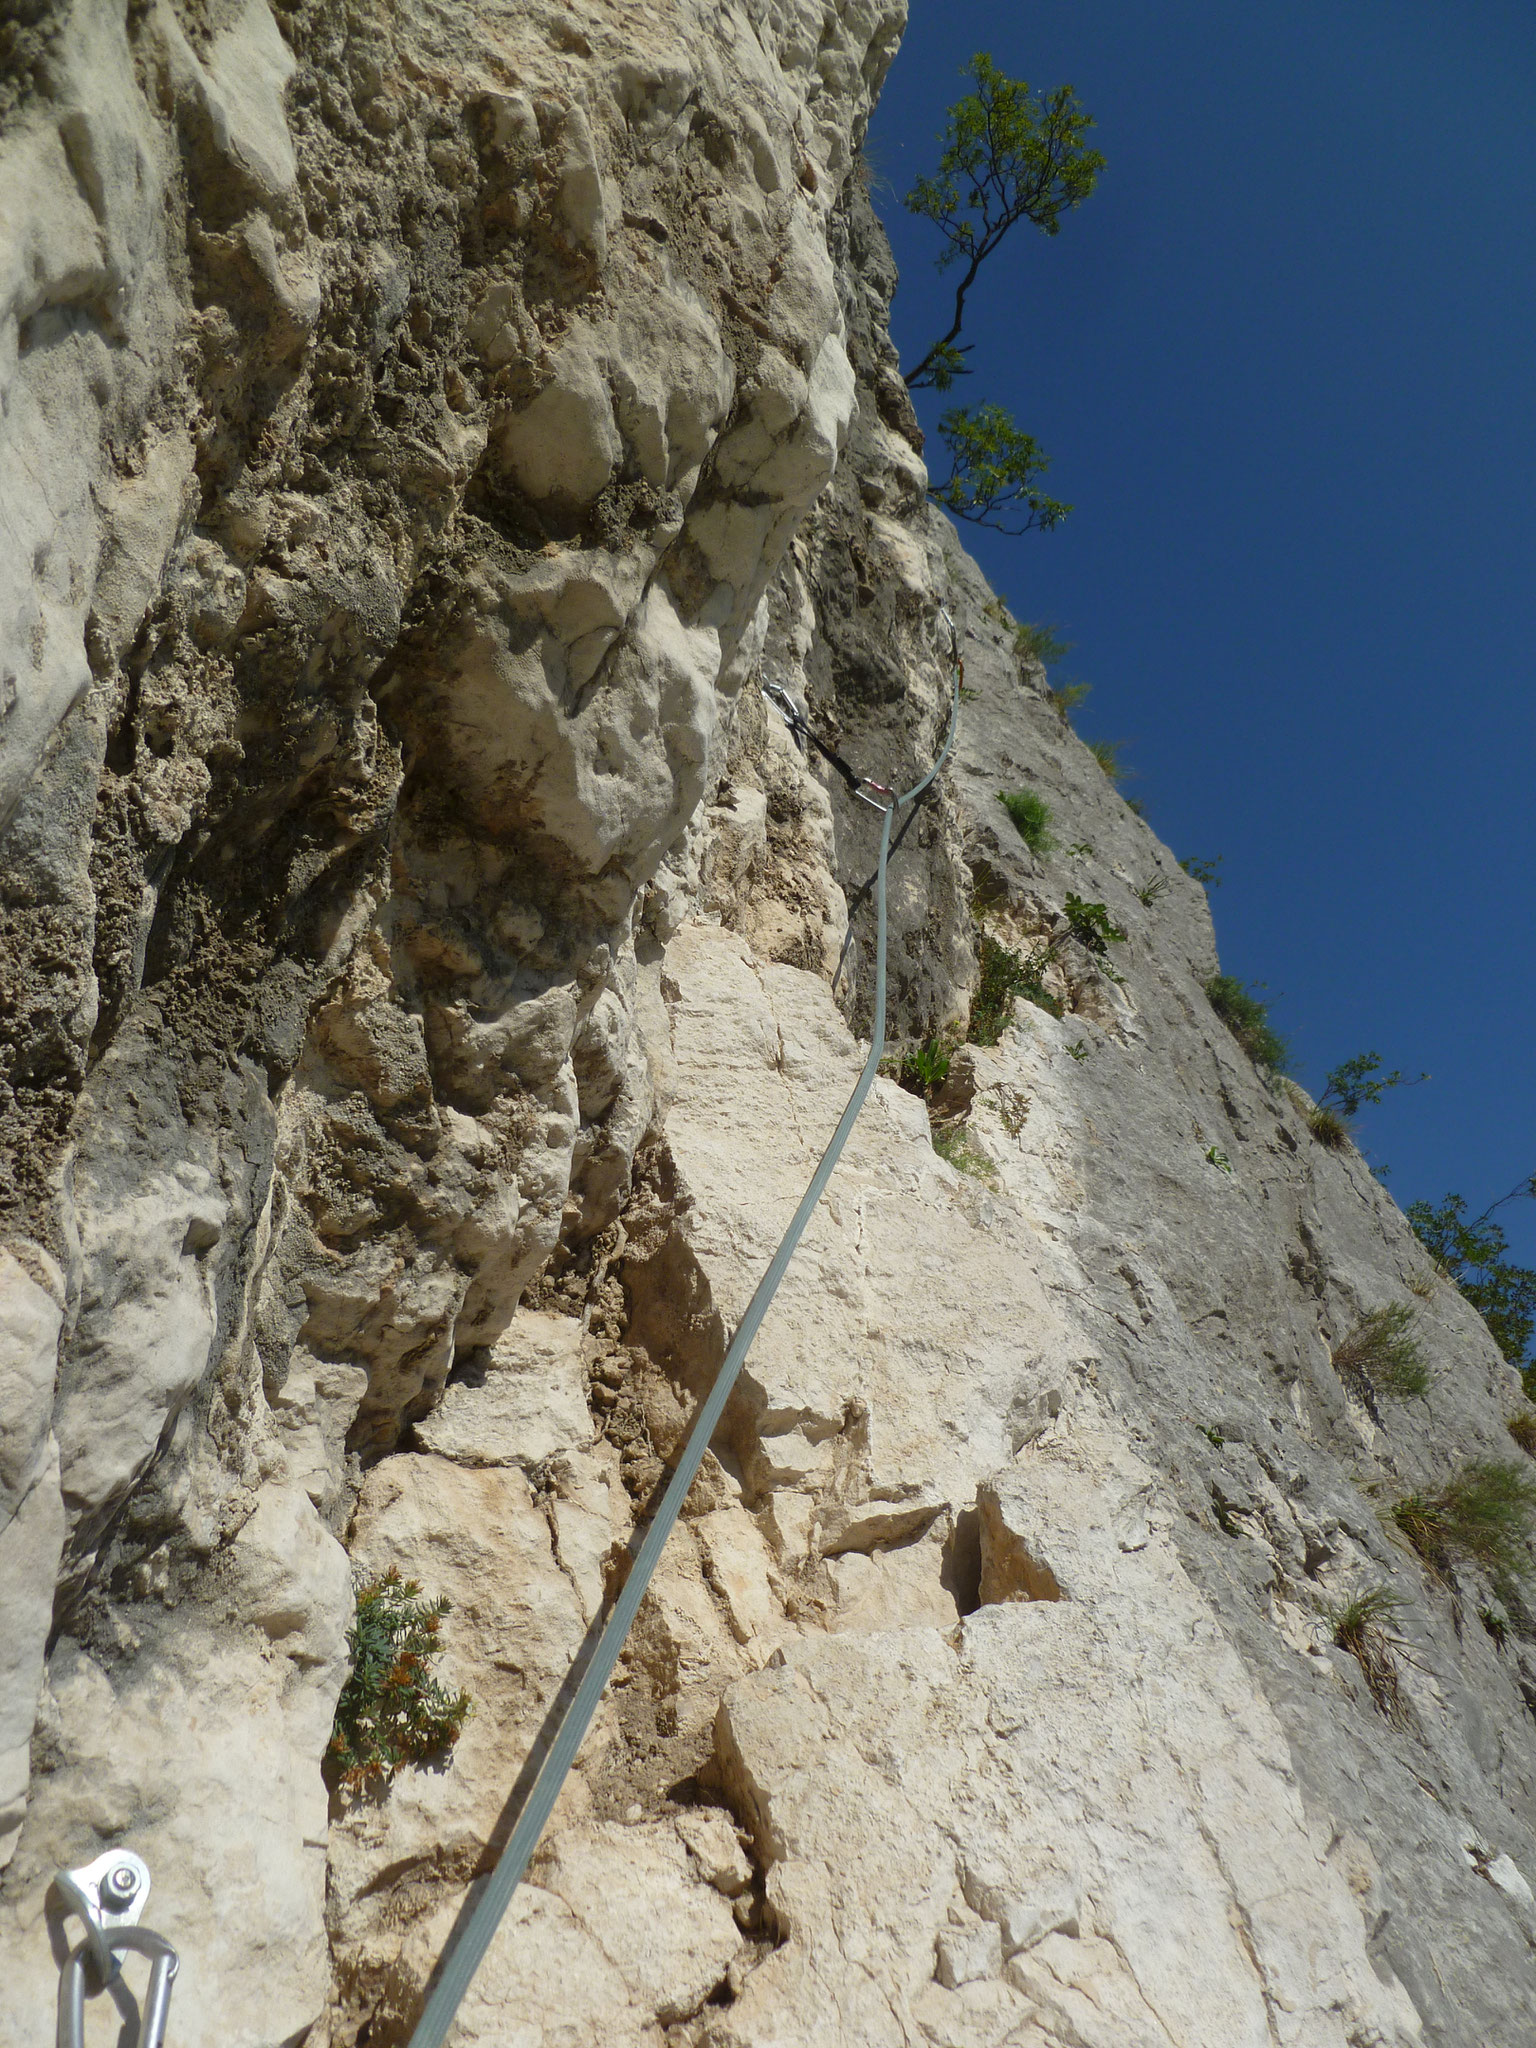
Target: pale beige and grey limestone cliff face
{"points": [[431, 974]]}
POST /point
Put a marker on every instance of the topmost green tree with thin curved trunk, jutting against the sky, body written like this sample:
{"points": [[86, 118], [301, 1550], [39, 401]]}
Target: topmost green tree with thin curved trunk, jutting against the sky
{"points": [[1011, 157]]}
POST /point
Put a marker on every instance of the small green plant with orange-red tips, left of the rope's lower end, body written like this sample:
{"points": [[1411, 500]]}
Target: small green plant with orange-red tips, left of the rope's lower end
{"points": [[392, 1711]]}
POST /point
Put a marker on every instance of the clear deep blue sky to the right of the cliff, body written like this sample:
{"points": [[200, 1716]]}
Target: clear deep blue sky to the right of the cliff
{"points": [[1285, 366]]}
